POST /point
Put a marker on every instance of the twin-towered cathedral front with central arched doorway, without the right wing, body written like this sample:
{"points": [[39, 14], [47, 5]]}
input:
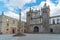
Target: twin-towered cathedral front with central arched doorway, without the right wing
{"points": [[38, 20]]}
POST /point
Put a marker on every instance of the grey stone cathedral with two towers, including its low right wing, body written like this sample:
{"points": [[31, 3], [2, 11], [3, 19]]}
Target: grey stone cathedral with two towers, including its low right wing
{"points": [[41, 22]]}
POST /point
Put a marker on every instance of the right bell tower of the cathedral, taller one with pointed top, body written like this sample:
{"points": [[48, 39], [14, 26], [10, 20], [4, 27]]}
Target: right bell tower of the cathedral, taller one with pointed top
{"points": [[45, 10]]}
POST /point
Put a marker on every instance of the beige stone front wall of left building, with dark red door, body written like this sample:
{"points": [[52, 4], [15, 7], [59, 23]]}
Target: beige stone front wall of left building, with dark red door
{"points": [[9, 25]]}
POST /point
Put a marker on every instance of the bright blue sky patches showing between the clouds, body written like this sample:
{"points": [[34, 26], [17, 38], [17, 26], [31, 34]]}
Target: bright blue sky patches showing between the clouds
{"points": [[16, 9]]}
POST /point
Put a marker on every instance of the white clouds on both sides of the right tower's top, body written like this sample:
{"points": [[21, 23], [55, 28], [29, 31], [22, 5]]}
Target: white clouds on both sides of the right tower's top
{"points": [[54, 9]]}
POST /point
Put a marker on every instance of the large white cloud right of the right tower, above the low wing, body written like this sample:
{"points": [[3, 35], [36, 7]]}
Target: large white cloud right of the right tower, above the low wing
{"points": [[55, 9]]}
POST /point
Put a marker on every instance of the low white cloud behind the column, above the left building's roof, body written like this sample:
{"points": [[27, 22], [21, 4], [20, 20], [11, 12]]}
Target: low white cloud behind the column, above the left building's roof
{"points": [[16, 16]]}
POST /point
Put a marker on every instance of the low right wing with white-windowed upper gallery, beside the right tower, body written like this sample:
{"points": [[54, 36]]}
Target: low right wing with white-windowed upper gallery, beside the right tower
{"points": [[54, 24]]}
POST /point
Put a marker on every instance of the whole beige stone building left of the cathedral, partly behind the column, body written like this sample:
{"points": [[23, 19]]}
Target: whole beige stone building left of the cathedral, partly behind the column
{"points": [[9, 25]]}
